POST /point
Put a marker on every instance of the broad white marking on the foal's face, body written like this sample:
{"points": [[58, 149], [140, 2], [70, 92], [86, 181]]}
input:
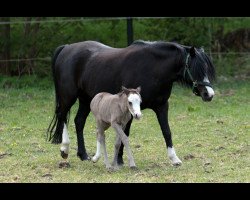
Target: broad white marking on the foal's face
{"points": [[135, 101]]}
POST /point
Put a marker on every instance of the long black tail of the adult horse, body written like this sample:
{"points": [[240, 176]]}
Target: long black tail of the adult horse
{"points": [[56, 123]]}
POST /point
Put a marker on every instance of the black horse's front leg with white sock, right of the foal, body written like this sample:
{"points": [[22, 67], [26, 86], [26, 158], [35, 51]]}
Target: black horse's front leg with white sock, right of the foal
{"points": [[162, 116]]}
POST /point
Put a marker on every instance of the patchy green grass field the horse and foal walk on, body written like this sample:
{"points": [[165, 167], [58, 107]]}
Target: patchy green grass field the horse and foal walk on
{"points": [[212, 139]]}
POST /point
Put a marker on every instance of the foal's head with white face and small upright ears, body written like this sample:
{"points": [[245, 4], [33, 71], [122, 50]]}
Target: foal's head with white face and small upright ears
{"points": [[134, 101]]}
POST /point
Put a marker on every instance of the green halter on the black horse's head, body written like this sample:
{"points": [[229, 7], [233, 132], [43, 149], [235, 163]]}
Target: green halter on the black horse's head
{"points": [[195, 82]]}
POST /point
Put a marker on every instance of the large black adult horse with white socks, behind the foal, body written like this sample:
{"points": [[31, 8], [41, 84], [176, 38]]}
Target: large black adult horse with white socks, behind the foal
{"points": [[81, 70]]}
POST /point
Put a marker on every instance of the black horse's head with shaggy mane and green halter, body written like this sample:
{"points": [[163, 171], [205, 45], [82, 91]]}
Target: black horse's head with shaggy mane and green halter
{"points": [[199, 72]]}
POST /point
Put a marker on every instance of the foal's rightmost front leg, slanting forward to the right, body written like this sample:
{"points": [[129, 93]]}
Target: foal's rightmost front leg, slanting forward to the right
{"points": [[125, 141]]}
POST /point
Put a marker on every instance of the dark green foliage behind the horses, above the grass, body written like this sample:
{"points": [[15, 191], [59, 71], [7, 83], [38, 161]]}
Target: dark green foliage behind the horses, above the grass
{"points": [[226, 39]]}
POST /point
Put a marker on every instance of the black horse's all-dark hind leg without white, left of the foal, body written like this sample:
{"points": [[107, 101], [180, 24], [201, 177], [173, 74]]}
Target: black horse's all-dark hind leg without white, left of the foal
{"points": [[80, 120]]}
